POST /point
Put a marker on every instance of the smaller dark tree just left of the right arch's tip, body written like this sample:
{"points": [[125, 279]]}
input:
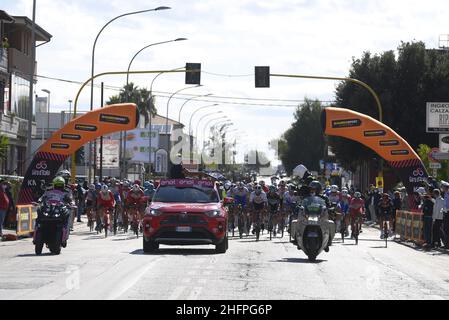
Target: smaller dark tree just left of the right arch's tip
{"points": [[304, 142]]}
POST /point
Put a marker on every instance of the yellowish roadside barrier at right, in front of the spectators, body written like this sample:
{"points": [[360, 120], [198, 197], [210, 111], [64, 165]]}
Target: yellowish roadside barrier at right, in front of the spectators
{"points": [[409, 226]]}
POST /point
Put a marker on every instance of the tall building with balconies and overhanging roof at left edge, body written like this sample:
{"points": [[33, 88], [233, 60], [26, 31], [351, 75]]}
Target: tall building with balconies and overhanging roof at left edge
{"points": [[15, 62]]}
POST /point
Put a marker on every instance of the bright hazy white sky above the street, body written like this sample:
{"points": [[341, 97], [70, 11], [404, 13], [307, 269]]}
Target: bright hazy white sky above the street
{"points": [[229, 38]]}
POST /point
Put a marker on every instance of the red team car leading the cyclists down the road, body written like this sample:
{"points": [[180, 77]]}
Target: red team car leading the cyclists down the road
{"points": [[185, 212]]}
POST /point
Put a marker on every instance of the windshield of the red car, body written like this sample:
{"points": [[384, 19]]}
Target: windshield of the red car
{"points": [[185, 195]]}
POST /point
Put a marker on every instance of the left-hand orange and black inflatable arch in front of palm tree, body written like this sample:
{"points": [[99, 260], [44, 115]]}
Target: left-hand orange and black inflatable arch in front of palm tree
{"points": [[65, 142]]}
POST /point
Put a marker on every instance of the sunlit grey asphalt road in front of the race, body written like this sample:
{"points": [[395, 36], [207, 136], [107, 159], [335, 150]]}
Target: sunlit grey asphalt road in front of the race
{"points": [[92, 267]]}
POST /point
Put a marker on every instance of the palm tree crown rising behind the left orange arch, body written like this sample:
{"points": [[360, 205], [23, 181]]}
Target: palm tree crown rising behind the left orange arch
{"points": [[143, 98]]}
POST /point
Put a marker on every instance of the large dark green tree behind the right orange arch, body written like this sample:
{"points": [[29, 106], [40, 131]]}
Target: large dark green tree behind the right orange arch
{"points": [[404, 85]]}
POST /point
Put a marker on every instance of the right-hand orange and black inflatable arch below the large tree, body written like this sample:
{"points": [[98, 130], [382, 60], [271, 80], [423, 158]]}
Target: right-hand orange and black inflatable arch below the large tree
{"points": [[381, 139]]}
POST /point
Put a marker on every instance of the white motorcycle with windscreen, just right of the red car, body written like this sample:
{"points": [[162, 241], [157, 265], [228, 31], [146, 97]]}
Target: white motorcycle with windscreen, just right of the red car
{"points": [[312, 231]]}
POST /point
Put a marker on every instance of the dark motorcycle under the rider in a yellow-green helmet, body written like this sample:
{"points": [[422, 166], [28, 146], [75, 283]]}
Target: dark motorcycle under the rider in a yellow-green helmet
{"points": [[51, 227]]}
